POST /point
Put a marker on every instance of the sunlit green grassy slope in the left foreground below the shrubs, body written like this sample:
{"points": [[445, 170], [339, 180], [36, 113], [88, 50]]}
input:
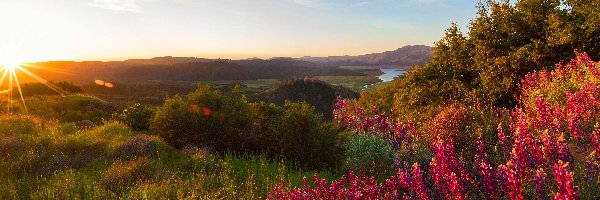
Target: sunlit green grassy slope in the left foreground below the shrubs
{"points": [[42, 159]]}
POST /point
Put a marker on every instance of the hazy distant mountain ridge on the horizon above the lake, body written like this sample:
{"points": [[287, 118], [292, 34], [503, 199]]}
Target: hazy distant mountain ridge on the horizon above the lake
{"points": [[405, 56]]}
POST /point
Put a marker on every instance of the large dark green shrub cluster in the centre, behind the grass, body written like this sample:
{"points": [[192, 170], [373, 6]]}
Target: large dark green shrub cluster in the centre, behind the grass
{"points": [[229, 123]]}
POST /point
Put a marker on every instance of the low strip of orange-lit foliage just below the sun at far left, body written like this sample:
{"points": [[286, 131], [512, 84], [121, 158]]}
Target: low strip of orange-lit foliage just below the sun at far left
{"points": [[50, 88]]}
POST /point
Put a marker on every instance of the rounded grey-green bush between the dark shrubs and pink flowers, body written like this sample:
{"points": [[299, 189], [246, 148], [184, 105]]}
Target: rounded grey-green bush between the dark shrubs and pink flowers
{"points": [[370, 154]]}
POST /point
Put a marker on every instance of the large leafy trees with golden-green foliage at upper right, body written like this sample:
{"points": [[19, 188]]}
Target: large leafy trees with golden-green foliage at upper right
{"points": [[504, 42]]}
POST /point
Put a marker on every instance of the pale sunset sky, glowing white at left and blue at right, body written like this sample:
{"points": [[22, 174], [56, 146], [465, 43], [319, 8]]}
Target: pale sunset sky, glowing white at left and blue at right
{"points": [[41, 30]]}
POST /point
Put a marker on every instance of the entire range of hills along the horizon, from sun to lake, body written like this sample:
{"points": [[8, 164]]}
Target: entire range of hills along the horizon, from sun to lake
{"points": [[202, 69]]}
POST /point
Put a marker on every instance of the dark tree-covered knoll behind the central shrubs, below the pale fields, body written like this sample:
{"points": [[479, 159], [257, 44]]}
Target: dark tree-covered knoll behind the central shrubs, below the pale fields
{"points": [[317, 93]]}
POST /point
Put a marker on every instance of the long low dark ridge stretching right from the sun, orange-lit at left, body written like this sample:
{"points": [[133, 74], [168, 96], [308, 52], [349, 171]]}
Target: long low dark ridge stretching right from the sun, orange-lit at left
{"points": [[125, 72]]}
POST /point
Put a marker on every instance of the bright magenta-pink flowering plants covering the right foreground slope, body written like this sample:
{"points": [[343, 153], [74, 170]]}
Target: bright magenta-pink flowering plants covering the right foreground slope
{"points": [[545, 151]]}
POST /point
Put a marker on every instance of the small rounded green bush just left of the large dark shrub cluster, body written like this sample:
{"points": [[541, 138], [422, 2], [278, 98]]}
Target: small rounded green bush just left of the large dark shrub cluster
{"points": [[137, 117]]}
